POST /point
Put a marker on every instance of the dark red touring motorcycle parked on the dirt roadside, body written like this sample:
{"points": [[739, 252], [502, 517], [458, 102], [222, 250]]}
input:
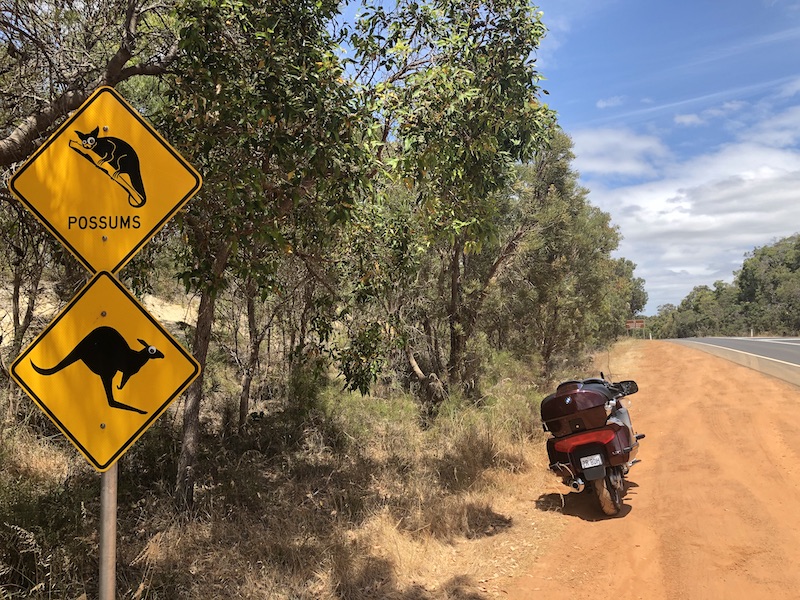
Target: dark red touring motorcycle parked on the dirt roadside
{"points": [[593, 440]]}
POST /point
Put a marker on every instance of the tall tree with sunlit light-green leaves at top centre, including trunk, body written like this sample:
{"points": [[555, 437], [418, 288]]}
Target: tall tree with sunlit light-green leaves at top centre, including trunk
{"points": [[456, 89]]}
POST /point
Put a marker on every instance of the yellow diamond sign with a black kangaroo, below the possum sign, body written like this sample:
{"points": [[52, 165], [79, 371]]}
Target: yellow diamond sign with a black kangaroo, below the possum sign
{"points": [[104, 370]]}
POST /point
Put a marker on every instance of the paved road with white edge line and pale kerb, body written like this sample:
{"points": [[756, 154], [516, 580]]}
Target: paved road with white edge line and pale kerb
{"points": [[779, 357]]}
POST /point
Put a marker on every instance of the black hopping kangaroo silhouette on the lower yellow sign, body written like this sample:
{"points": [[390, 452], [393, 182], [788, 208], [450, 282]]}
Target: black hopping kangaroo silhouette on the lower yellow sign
{"points": [[106, 352]]}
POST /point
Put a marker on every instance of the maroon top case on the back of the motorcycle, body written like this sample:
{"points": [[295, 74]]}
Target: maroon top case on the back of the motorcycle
{"points": [[575, 406]]}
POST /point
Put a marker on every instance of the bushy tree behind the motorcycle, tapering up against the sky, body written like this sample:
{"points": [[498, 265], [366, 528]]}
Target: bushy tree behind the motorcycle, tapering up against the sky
{"points": [[562, 293]]}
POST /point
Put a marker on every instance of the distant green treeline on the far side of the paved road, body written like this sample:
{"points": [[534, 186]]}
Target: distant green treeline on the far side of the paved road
{"points": [[764, 299]]}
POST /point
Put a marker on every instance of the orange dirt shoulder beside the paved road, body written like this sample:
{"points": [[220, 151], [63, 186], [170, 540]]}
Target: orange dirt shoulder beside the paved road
{"points": [[713, 509]]}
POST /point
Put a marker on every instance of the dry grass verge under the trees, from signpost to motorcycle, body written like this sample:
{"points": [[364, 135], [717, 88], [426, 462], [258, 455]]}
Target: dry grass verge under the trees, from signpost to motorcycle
{"points": [[356, 501]]}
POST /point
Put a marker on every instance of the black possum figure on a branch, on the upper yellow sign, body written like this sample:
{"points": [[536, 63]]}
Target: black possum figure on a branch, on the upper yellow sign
{"points": [[115, 157]]}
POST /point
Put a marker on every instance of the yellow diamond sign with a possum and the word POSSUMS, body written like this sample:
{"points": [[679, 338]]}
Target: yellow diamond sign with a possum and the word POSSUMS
{"points": [[105, 182]]}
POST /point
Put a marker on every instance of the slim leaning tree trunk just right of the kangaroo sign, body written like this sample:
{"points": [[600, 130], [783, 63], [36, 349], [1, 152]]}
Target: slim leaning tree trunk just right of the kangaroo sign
{"points": [[184, 485]]}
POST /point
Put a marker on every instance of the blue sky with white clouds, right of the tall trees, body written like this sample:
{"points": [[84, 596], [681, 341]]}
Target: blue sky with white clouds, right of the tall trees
{"points": [[685, 118]]}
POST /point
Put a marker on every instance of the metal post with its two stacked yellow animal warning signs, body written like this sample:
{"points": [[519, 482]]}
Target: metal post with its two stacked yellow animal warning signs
{"points": [[104, 184]]}
